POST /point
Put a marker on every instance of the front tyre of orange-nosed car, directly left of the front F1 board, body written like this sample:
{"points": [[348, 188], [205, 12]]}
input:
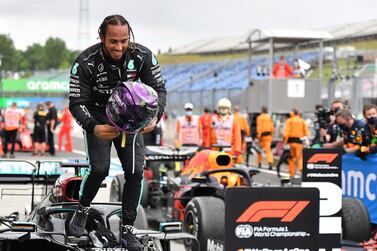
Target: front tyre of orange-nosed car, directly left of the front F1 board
{"points": [[204, 218]]}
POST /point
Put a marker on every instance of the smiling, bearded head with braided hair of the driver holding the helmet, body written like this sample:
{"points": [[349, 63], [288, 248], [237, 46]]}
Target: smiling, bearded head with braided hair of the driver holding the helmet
{"points": [[115, 34]]}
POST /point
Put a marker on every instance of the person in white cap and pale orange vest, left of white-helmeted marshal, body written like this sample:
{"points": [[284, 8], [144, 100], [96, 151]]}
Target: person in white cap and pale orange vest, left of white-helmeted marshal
{"points": [[189, 128]]}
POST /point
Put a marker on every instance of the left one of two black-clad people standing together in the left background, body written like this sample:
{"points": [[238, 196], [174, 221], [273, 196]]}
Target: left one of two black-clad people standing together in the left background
{"points": [[39, 134]]}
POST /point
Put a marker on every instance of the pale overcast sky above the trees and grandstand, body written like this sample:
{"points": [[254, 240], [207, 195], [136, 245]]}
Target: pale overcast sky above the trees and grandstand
{"points": [[160, 24]]}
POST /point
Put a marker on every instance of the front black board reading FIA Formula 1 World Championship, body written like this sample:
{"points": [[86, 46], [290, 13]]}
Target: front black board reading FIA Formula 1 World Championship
{"points": [[271, 218]]}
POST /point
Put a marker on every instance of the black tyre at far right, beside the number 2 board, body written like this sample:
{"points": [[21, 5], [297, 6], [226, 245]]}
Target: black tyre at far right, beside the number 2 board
{"points": [[355, 220]]}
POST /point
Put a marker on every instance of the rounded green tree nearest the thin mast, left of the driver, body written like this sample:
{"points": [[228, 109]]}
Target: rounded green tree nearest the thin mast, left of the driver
{"points": [[54, 51]]}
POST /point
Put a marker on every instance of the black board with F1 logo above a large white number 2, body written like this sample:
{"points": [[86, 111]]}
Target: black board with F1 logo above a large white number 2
{"points": [[322, 169]]}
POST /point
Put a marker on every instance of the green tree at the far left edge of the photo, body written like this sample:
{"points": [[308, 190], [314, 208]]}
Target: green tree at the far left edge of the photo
{"points": [[10, 59]]}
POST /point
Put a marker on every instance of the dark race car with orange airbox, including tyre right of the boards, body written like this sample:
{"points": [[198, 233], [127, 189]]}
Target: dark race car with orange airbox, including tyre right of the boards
{"points": [[196, 198]]}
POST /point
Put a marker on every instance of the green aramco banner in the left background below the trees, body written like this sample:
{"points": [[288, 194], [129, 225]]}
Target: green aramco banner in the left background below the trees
{"points": [[24, 85]]}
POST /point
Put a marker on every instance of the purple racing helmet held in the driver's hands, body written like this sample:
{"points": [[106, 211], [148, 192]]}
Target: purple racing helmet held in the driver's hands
{"points": [[131, 106]]}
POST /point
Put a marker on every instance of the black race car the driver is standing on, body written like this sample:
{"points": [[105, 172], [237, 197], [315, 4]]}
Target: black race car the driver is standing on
{"points": [[47, 226]]}
